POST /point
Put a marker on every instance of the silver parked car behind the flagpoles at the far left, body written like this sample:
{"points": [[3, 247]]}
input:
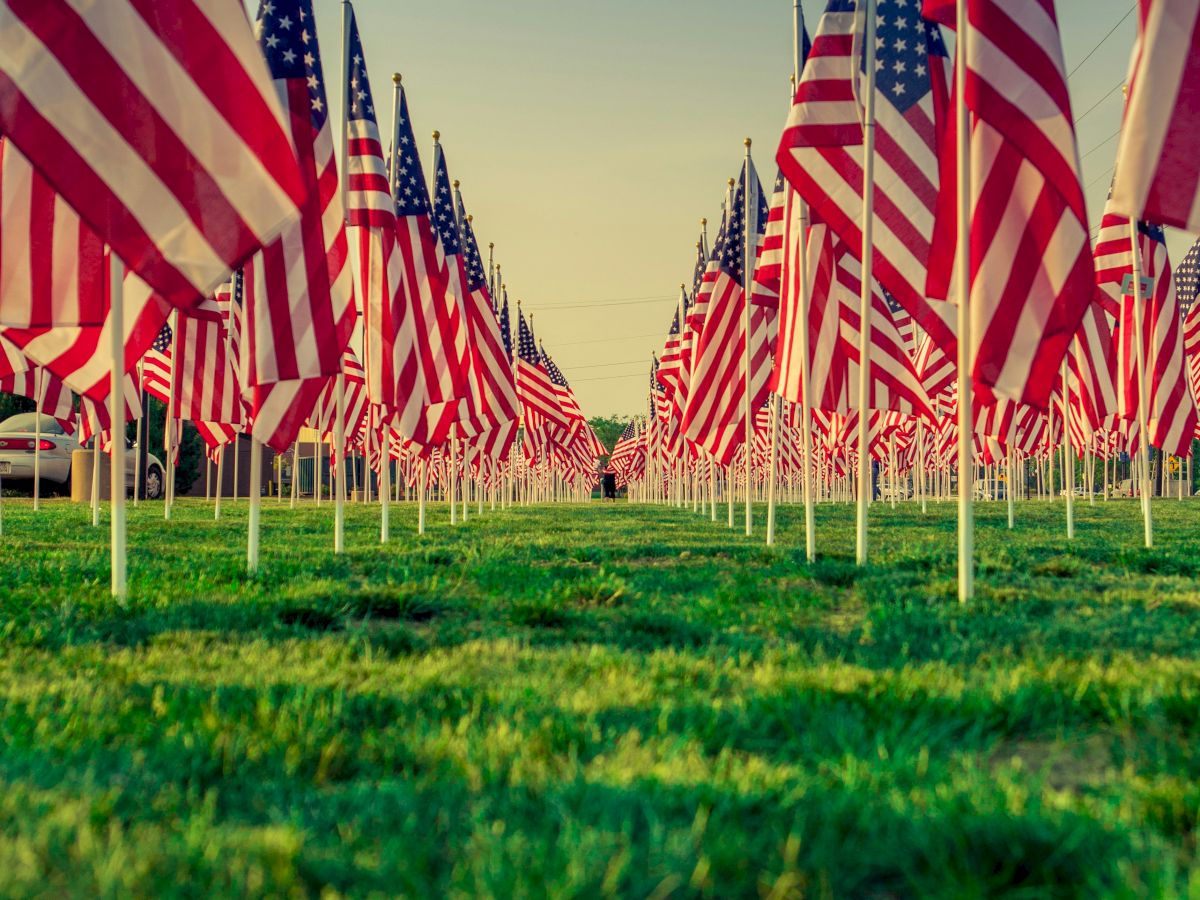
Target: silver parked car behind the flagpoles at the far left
{"points": [[19, 440]]}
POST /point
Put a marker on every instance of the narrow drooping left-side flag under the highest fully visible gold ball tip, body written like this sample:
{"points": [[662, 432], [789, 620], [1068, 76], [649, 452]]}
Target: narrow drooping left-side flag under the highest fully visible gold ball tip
{"points": [[441, 334]]}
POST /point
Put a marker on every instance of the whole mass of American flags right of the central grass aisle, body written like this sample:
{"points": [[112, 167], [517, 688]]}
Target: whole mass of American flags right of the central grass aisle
{"points": [[1054, 320]]}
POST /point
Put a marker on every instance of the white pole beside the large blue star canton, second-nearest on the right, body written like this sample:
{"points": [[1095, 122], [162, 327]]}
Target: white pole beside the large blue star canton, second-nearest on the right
{"points": [[865, 295]]}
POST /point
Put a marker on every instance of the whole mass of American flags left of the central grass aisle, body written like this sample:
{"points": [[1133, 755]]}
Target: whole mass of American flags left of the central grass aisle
{"points": [[273, 279]]}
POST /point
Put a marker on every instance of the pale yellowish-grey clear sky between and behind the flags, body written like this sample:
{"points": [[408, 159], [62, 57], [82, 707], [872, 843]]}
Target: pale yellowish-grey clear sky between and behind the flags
{"points": [[591, 137]]}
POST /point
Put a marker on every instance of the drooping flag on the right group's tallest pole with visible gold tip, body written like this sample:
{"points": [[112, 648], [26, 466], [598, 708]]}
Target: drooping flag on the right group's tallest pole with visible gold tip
{"points": [[715, 417]]}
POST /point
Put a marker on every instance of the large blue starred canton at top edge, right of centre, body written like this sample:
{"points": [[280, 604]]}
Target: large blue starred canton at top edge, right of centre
{"points": [[904, 43]]}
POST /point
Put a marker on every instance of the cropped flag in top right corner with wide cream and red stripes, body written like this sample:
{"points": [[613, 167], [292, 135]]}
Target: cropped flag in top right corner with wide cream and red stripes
{"points": [[1159, 170]]}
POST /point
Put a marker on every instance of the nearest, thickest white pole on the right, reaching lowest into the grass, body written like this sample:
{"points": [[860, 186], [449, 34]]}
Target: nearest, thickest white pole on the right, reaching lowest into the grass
{"points": [[963, 277]]}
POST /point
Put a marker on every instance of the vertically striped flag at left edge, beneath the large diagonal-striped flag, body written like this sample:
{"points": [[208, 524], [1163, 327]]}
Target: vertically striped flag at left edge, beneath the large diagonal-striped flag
{"points": [[52, 266]]}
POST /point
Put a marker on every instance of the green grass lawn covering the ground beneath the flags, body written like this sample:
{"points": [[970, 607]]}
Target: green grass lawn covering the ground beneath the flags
{"points": [[601, 700]]}
